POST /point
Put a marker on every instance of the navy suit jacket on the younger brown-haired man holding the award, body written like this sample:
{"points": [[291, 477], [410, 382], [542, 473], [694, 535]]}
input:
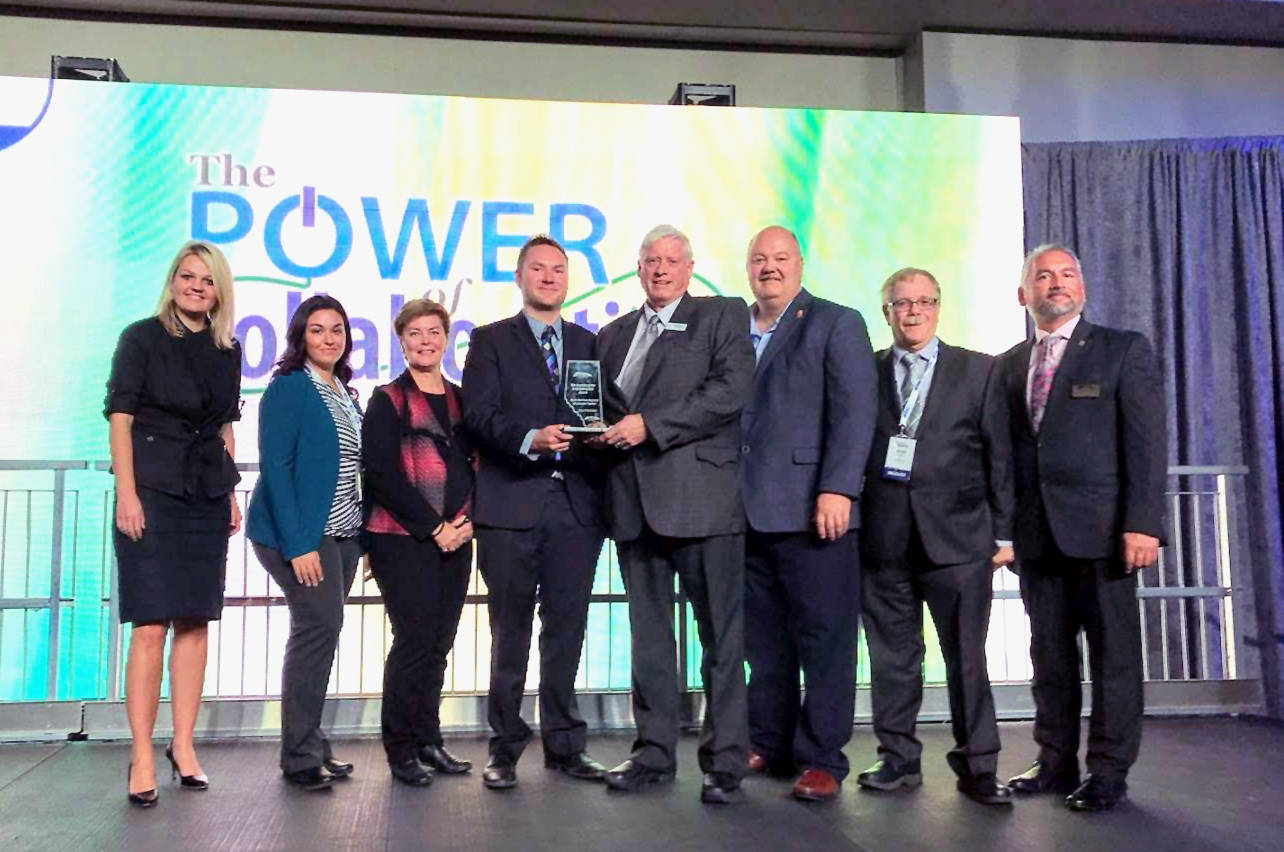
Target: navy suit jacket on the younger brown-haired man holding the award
{"points": [[508, 393]]}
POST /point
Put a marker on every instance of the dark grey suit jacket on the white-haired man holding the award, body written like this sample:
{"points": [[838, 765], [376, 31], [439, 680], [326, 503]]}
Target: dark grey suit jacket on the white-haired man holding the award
{"points": [[684, 482]]}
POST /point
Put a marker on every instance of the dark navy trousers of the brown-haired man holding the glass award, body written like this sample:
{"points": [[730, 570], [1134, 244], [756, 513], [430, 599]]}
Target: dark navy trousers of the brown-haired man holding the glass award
{"points": [[551, 565]]}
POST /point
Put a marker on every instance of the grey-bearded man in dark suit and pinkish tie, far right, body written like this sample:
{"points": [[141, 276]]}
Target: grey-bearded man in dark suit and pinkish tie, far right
{"points": [[1089, 456]]}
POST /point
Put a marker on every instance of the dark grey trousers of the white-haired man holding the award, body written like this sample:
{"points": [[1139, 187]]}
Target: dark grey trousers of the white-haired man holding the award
{"points": [[712, 574]]}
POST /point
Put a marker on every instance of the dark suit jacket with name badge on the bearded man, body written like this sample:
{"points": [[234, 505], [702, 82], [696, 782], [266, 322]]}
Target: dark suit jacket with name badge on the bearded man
{"points": [[1098, 466]]}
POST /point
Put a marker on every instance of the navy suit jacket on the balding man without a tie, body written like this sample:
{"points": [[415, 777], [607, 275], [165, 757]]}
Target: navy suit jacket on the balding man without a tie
{"points": [[812, 418]]}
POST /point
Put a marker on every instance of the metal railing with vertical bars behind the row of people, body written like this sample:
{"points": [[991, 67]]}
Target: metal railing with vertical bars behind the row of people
{"points": [[58, 605]]}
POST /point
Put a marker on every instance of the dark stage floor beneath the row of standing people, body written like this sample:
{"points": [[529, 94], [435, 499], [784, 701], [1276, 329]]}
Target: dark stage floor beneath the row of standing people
{"points": [[1201, 785]]}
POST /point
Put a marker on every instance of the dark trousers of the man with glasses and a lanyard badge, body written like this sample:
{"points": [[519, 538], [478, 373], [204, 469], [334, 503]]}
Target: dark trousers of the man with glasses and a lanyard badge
{"points": [[959, 599]]}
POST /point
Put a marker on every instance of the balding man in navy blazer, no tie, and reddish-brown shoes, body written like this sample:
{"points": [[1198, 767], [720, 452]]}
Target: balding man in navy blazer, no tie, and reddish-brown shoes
{"points": [[806, 437]]}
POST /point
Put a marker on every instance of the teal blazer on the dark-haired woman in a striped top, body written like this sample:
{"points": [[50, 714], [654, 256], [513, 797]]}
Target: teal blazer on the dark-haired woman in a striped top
{"points": [[299, 463]]}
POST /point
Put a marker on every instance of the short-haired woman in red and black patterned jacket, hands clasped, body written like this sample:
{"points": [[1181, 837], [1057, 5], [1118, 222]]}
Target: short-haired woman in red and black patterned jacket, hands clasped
{"points": [[418, 463]]}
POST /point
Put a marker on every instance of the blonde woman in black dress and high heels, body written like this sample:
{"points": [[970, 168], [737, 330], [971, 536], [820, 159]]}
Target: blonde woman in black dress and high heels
{"points": [[171, 401]]}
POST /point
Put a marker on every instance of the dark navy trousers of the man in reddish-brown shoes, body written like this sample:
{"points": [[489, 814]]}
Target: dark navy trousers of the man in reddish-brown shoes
{"points": [[802, 602]]}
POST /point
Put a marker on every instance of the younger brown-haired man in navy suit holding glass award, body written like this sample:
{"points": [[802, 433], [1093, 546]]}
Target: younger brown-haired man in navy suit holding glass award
{"points": [[537, 510]]}
